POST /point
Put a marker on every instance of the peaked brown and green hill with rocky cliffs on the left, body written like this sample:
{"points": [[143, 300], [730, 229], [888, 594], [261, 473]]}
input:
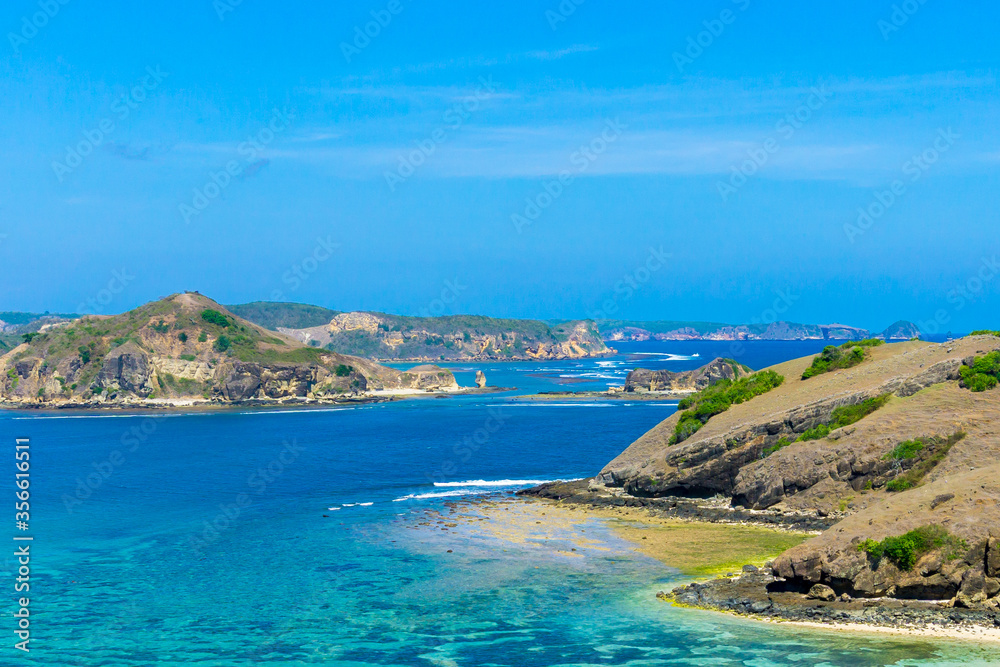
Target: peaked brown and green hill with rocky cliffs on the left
{"points": [[188, 348]]}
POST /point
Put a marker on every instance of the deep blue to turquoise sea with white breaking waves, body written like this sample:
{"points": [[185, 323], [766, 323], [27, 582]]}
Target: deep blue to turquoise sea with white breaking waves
{"points": [[287, 537]]}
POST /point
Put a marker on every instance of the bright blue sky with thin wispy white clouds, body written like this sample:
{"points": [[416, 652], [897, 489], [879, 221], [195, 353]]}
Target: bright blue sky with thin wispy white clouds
{"points": [[530, 159]]}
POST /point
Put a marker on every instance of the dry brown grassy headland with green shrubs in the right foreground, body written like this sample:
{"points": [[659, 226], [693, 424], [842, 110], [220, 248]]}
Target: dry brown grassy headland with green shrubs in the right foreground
{"points": [[921, 471]]}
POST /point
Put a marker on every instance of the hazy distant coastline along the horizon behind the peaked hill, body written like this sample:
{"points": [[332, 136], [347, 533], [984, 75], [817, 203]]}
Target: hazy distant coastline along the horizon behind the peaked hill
{"points": [[455, 338]]}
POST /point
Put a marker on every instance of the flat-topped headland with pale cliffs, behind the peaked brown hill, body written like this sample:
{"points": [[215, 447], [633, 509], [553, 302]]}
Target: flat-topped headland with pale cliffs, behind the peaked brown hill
{"points": [[455, 338]]}
